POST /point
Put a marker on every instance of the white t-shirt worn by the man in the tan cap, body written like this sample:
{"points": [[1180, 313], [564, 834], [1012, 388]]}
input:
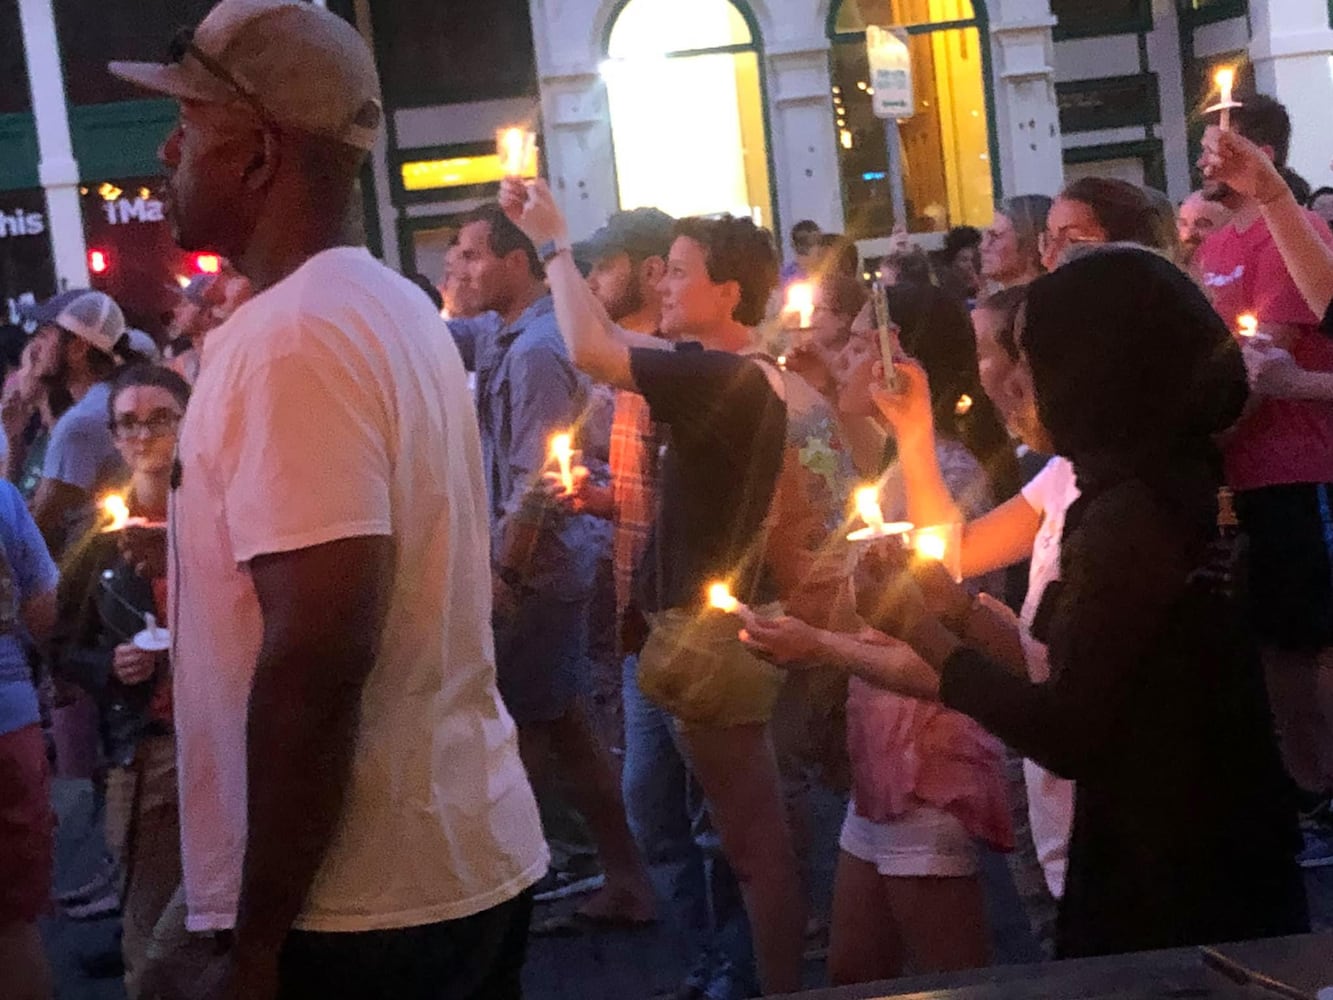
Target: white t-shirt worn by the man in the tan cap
{"points": [[331, 407]]}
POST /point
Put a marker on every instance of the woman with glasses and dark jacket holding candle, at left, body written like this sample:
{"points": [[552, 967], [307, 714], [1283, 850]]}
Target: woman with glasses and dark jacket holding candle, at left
{"points": [[105, 642]]}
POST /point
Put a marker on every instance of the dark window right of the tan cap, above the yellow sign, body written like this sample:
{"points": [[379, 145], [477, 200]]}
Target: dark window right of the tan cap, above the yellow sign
{"points": [[453, 51]]}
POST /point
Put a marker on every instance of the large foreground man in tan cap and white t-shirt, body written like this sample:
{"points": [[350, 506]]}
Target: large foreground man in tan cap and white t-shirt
{"points": [[355, 817]]}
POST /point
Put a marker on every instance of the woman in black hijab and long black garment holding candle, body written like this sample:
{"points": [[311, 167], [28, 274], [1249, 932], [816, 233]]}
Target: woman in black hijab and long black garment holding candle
{"points": [[1156, 701]]}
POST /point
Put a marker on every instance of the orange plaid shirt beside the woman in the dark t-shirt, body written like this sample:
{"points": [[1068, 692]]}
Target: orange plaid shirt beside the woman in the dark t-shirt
{"points": [[634, 483]]}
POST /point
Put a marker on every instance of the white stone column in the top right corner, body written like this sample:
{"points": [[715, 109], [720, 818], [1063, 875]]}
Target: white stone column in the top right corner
{"points": [[1291, 49]]}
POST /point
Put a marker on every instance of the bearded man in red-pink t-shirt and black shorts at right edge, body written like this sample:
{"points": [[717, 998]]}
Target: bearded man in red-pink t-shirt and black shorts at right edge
{"points": [[1280, 463]]}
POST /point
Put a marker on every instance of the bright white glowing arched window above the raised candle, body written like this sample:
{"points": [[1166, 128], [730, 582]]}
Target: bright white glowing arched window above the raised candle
{"points": [[687, 110]]}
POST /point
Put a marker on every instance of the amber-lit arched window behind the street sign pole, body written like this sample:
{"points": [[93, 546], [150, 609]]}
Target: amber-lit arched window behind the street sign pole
{"points": [[947, 170]]}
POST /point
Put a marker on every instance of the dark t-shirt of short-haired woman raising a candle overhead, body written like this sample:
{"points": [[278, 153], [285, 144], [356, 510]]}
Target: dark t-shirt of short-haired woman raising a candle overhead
{"points": [[727, 434]]}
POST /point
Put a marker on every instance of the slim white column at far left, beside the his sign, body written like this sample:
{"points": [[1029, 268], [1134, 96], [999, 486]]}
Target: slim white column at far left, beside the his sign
{"points": [[58, 170]]}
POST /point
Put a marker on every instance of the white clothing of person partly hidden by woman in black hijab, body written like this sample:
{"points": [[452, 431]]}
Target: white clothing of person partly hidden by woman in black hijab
{"points": [[1051, 799]]}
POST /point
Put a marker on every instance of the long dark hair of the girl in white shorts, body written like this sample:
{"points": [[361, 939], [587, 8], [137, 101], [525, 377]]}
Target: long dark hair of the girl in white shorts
{"points": [[938, 333]]}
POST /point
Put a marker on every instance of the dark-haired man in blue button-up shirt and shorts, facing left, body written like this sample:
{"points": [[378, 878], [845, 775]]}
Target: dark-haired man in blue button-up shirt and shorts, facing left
{"points": [[545, 558]]}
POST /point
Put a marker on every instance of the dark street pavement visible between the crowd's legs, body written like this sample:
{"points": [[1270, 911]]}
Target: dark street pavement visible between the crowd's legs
{"points": [[605, 966]]}
